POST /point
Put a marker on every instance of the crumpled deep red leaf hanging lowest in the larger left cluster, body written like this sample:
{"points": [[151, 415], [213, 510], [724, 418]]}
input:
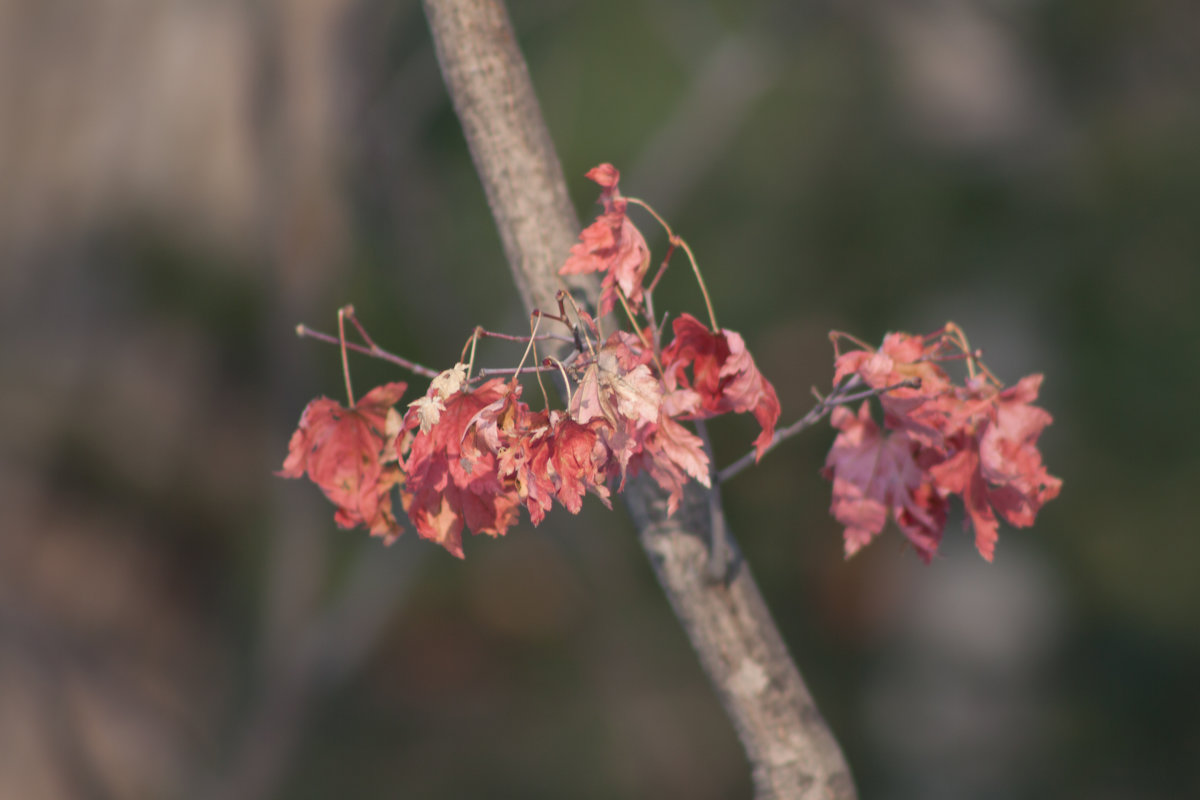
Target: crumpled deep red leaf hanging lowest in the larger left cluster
{"points": [[453, 482]]}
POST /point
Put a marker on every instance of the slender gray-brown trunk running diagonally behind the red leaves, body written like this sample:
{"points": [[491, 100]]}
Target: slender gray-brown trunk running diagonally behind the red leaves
{"points": [[791, 750]]}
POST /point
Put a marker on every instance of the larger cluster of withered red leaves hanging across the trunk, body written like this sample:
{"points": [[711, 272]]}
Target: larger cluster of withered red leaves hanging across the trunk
{"points": [[471, 456]]}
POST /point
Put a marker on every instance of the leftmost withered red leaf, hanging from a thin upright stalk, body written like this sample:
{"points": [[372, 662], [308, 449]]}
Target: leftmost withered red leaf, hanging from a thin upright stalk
{"points": [[346, 453]]}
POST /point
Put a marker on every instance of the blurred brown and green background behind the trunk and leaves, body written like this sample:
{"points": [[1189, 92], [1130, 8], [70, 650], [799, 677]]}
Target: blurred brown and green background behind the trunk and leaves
{"points": [[182, 183]]}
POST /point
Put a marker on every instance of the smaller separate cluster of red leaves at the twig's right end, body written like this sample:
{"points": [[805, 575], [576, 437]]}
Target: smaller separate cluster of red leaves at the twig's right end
{"points": [[976, 441]]}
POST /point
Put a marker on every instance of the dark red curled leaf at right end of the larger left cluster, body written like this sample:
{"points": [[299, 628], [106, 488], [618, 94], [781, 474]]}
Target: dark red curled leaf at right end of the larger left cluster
{"points": [[724, 375]]}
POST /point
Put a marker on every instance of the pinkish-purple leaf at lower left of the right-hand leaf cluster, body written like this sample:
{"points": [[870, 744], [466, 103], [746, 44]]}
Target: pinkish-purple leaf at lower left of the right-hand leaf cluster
{"points": [[877, 477]]}
